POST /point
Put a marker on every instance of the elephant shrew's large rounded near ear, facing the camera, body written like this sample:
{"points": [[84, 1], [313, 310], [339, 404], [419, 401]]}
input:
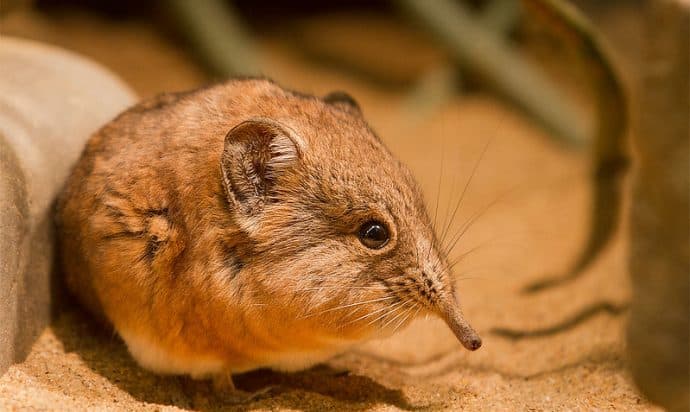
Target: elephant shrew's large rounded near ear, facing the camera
{"points": [[255, 154]]}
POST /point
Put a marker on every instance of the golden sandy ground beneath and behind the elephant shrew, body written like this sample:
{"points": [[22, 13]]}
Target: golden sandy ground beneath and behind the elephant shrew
{"points": [[562, 349]]}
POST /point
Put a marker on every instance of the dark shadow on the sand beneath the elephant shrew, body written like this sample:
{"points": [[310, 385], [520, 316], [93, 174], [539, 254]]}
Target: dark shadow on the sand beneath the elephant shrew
{"points": [[105, 353]]}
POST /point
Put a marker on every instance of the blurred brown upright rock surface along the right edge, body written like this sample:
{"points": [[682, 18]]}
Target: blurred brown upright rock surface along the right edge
{"points": [[659, 331]]}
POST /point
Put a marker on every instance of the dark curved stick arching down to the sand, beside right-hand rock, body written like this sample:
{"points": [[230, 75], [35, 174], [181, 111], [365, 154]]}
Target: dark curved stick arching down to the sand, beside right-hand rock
{"points": [[610, 158]]}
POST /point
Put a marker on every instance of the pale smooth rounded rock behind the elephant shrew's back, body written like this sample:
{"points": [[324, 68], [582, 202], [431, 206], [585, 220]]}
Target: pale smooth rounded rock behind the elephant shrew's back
{"points": [[51, 100]]}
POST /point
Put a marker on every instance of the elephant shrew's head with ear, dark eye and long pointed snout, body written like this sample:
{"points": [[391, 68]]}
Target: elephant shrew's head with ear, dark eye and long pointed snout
{"points": [[338, 226]]}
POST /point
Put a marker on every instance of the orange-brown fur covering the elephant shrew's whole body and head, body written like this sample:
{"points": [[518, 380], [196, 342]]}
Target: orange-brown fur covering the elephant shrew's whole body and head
{"points": [[157, 242]]}
